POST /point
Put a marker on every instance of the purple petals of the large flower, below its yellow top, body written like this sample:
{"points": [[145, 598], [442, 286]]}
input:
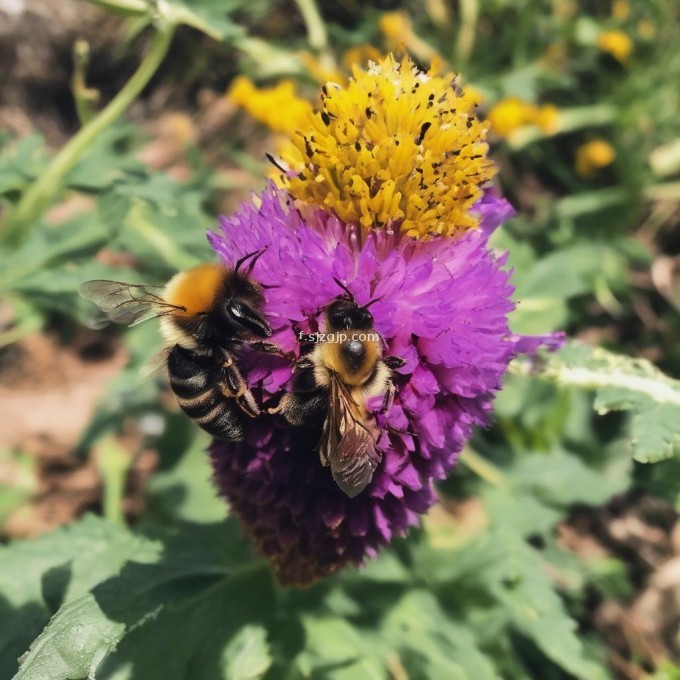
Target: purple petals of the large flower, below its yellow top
{"points": [[439, 304]]}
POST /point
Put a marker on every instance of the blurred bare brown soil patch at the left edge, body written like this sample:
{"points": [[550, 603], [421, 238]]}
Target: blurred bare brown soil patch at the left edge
{"points": [[49, 393]]}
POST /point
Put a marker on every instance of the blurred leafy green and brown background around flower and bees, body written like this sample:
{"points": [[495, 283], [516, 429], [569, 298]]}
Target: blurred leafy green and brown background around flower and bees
{"points": [[555, 550]]}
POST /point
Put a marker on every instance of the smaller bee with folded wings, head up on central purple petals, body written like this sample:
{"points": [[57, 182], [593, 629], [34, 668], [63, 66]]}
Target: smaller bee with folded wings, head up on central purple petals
{"points": [[333, 382]]}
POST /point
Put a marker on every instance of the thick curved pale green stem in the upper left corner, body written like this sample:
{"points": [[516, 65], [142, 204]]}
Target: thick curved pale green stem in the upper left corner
{"points": [[41, 193]]}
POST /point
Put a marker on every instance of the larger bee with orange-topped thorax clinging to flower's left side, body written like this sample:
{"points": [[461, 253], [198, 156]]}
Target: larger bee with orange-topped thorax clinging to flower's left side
{"points": [[207, 314]]}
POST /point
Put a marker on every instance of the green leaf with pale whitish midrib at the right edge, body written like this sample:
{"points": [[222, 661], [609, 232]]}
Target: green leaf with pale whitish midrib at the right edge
{"points": [[621, 383]]}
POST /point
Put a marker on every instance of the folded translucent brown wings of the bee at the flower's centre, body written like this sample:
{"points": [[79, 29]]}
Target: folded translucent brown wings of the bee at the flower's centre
{"points": [[347, 444]]}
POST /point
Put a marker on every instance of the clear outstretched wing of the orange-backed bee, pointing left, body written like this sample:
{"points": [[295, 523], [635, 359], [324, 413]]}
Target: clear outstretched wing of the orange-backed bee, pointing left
{"points": [[126, 303]]}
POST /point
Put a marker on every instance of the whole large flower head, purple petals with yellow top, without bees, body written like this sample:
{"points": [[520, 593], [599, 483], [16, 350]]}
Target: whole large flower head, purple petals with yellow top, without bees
{"points": [[387, 198]]}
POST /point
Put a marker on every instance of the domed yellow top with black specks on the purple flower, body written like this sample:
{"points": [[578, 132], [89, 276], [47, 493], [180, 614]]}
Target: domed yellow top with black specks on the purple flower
{"points": [[397, 149]]}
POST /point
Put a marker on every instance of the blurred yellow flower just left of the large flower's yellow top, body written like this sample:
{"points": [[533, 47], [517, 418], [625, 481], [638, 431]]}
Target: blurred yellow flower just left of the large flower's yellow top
{"points": [[278, 107]]}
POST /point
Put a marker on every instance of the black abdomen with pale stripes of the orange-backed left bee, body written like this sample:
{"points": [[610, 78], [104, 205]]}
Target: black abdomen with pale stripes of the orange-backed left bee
{"points": [[195, 380]]}
